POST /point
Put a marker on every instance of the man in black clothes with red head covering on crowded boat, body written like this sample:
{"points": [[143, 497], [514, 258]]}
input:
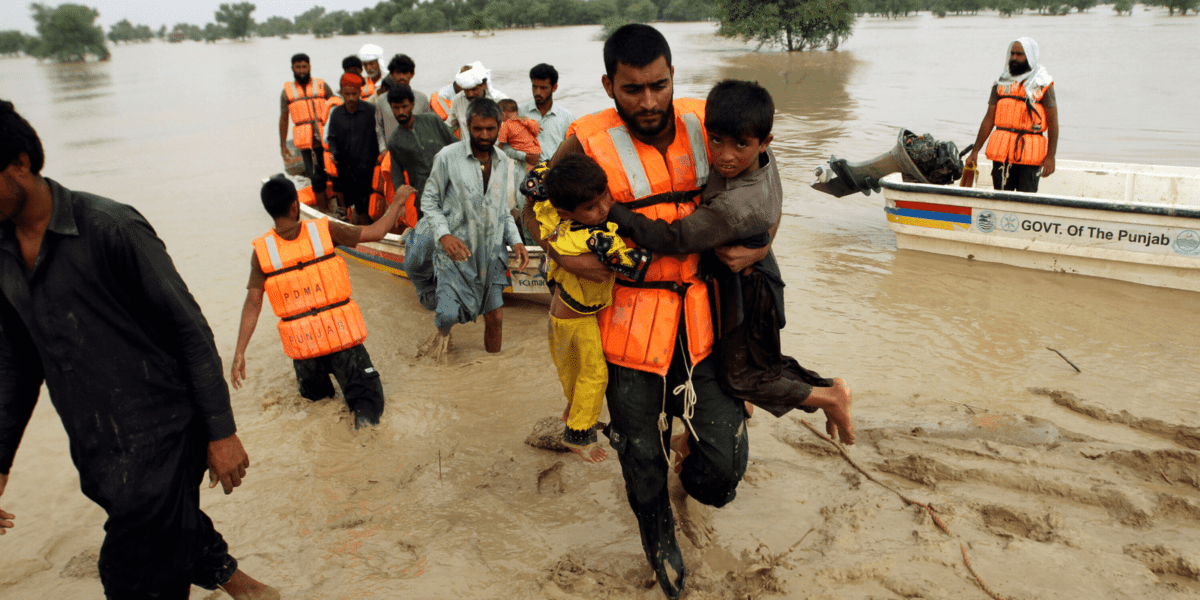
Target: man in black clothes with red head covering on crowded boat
{"points": [[355, 146]]}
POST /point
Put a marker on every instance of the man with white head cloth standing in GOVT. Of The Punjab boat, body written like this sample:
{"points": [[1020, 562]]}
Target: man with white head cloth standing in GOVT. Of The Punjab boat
{"points": [[1025, 117]]}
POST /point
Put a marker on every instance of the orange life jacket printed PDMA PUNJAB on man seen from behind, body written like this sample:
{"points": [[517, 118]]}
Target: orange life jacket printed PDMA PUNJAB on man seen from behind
{"points": [[310, 291]]}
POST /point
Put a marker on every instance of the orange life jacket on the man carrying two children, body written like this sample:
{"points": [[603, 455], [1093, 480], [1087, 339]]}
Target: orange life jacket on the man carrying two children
{"points": [[639, 329]]}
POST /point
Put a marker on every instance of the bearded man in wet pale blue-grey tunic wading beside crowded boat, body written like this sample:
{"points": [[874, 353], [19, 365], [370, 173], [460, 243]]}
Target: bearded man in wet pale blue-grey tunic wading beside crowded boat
{"points": [[457, 256]]}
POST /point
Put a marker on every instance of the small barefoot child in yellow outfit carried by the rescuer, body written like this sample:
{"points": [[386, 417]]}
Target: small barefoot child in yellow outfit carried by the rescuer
{"points": [[573, 223]]}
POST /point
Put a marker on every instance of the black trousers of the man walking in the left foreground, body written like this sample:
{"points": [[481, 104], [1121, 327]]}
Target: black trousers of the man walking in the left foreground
{"points": [[158, 542]]}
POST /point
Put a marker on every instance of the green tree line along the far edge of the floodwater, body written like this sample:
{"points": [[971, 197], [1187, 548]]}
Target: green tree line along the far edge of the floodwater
{"points": [[69, 32]]}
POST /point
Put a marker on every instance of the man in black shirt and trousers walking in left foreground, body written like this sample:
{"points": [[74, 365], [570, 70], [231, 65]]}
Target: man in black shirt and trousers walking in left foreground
{"points": [[92, 304]]}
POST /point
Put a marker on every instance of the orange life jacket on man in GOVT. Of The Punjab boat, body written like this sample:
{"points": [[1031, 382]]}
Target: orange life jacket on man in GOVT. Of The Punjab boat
{"points": [[1021, 125]]}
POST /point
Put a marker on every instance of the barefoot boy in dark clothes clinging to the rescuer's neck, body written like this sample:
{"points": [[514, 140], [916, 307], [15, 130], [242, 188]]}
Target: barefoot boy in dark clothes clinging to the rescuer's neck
{"points": [[741, 206]]}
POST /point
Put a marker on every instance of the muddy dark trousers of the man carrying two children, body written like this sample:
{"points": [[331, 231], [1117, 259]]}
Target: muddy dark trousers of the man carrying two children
{"points": [[711, 473]]}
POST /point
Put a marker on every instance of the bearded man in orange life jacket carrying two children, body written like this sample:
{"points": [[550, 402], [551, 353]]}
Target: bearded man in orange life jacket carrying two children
{"points": [[658, 335]]}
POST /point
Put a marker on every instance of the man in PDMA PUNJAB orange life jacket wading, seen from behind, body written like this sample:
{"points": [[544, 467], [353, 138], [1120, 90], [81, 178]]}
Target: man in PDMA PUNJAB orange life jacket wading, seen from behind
{"points": [[310, 291]]}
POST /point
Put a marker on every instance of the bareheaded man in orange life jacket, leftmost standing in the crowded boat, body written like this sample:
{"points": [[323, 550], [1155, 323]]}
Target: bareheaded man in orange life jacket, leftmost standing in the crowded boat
{"points": [[303, 103]]}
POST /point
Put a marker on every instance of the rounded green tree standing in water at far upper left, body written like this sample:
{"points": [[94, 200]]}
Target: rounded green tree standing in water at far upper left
{"points": [[67, 34]]}
